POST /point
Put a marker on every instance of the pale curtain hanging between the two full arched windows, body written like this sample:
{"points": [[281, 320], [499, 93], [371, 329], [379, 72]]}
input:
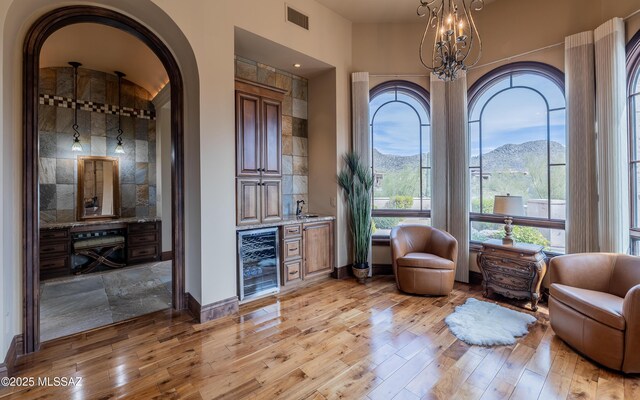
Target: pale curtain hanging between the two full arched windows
{"points": [[450, 193]]}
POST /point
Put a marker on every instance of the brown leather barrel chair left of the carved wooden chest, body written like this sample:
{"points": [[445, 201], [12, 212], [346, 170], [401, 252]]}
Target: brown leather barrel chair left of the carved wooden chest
{"points": [[424, 259]]}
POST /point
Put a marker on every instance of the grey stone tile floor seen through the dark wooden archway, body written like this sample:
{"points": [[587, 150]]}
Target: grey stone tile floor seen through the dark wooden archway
{"points": [[85, 302]]}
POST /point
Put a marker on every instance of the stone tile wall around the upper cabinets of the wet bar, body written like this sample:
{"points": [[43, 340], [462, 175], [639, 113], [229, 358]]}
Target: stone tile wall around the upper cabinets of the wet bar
{"points": [[295, 166]]}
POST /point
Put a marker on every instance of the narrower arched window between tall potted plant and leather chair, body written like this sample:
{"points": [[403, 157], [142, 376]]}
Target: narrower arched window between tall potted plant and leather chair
{"points": [[401, 155]]}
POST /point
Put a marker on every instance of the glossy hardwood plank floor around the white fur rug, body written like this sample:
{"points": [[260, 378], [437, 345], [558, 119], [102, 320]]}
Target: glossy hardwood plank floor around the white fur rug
{"points": [[336, 339]]}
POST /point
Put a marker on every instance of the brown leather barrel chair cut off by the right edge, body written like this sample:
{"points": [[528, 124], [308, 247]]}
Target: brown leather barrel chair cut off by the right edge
{"points": [[595, 307]]}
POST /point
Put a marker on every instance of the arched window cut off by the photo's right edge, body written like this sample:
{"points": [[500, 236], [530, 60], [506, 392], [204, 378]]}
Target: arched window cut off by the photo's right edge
{"points": [[633, 90]]}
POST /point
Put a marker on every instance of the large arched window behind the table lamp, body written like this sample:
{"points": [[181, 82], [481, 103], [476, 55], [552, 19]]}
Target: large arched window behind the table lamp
{"points": [[517, 146]]}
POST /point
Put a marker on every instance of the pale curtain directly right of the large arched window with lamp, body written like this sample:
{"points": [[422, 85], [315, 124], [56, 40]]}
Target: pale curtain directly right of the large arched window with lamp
{"points": [[582, 183]]}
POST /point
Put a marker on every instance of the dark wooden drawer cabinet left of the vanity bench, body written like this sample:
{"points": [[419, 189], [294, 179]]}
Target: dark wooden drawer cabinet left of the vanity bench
{"points": [[55, 249]]}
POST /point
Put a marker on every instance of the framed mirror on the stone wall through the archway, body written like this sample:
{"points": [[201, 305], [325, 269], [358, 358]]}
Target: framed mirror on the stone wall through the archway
{"points": [[98, 188]]}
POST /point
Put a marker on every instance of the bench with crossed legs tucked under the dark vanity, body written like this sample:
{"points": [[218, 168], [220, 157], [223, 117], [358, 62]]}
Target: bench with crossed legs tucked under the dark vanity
{"points": [[98, 249]]}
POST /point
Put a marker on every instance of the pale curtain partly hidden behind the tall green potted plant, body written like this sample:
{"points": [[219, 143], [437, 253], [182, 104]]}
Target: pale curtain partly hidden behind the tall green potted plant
{"points": [[360, 119]]}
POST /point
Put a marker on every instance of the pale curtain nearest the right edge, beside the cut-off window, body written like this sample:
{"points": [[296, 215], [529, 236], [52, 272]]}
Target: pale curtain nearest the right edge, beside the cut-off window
{"points": [[612, 140]]}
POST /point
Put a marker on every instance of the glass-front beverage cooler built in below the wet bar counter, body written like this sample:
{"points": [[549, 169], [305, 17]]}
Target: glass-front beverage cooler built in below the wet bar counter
{"points": [[258, 261]]}
